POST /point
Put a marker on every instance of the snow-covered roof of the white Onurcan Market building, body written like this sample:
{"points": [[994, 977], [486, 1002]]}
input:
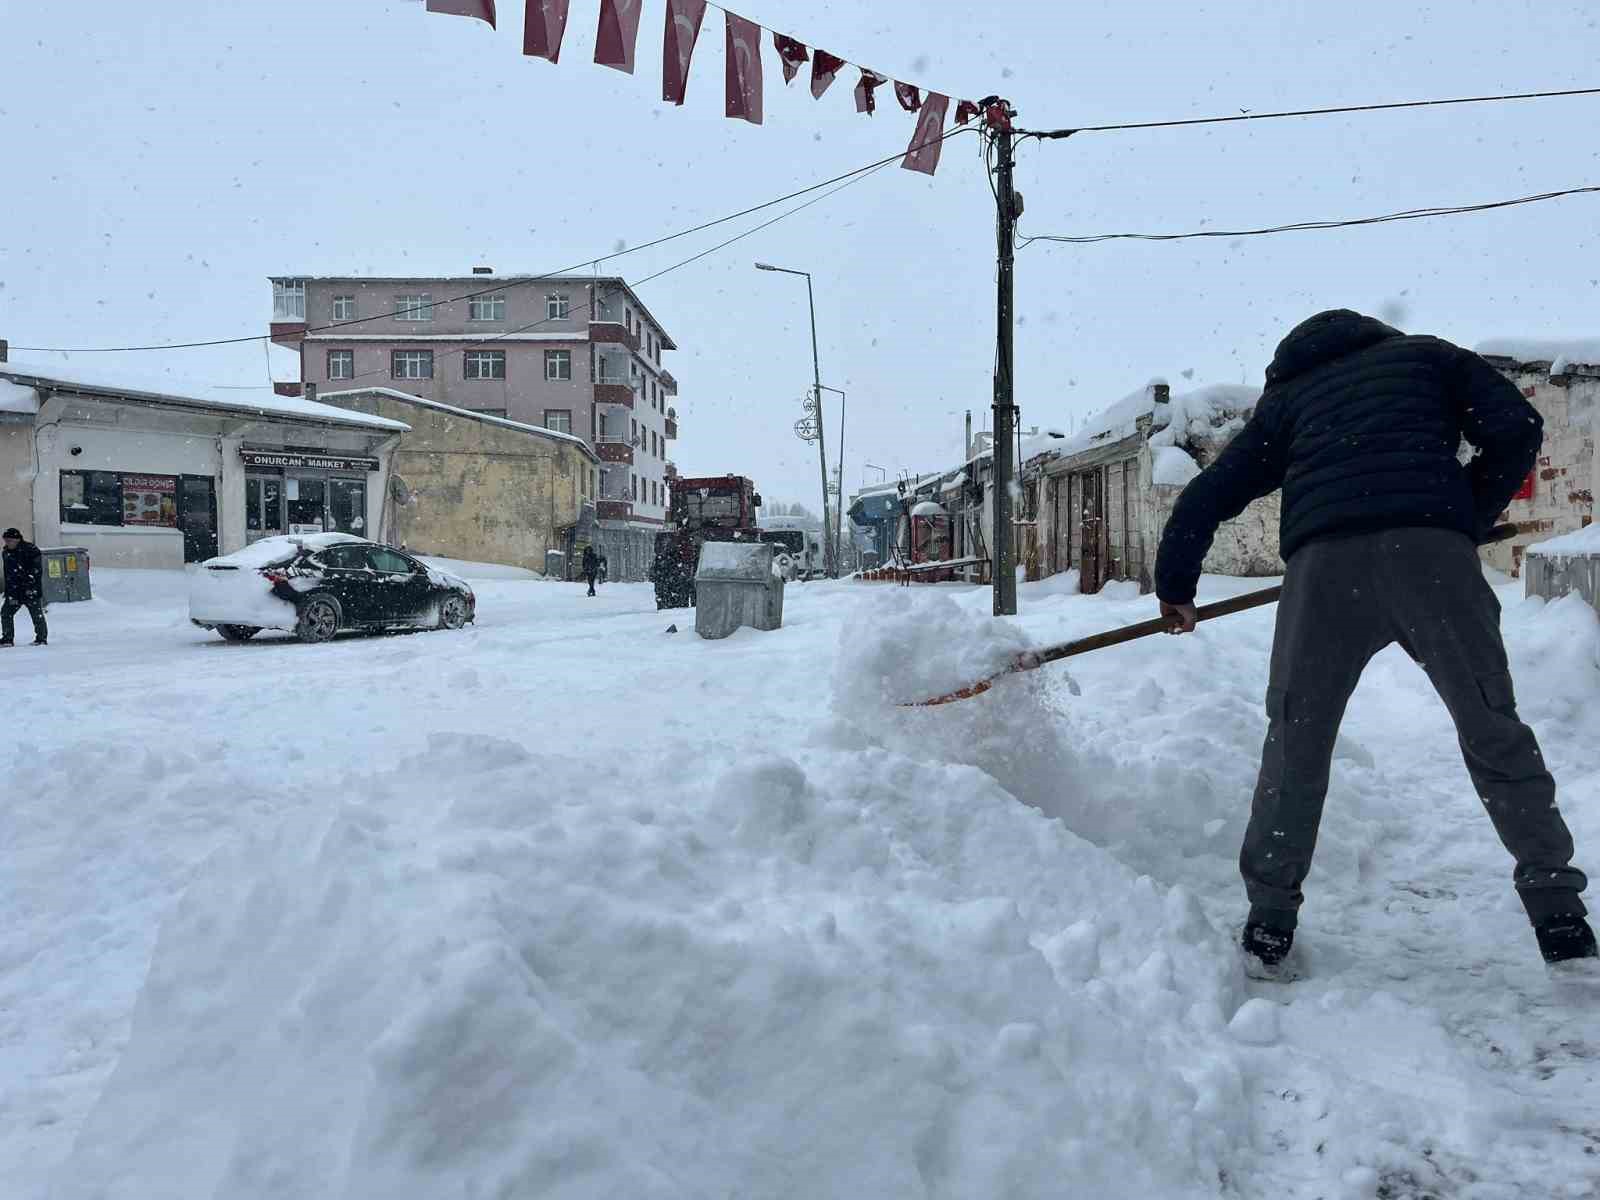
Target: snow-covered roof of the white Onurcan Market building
{"points": [[158, 388]]}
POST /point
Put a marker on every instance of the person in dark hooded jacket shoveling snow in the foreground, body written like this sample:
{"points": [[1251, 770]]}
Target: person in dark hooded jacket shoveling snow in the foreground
{"points": [[1361, 426]]}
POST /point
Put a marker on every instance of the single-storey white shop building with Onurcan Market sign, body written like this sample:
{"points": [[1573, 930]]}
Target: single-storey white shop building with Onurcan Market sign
{"points": [[148, 476]]}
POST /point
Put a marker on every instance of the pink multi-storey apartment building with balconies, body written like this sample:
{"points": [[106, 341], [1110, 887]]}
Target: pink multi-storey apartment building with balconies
{"points": [[582, 356]]}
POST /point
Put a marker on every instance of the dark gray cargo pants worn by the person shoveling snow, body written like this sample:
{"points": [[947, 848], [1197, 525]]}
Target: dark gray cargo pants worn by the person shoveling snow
{"points": [[1345, 599]]}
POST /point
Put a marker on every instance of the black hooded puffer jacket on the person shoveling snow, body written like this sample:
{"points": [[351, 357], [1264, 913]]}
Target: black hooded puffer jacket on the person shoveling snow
{"points": [[1361, 426]]}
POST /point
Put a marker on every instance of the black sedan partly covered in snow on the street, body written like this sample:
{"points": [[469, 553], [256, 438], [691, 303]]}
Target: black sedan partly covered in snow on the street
{"points": [[321, 585]]}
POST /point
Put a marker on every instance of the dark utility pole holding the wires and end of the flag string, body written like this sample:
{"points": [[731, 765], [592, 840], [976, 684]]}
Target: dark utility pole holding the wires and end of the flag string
{"points": [[999, 118]]}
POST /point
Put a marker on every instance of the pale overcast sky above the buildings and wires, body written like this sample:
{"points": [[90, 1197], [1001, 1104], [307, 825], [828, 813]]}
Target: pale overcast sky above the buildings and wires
{"points": [[161, 161]]}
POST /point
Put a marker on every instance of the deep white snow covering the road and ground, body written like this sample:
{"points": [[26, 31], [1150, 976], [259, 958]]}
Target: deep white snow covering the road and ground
{"points": [[567, 906]]}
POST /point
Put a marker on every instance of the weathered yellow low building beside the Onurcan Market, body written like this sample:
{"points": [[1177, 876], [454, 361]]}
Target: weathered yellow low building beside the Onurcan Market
{"points": [[478, 490]]}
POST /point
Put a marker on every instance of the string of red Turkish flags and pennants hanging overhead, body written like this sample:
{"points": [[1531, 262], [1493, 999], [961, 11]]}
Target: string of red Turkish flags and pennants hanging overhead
{"points": [[617, 44]]}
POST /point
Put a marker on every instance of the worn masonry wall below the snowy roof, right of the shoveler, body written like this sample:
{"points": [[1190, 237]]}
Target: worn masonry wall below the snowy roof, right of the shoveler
{"points": [[1564, 486]]}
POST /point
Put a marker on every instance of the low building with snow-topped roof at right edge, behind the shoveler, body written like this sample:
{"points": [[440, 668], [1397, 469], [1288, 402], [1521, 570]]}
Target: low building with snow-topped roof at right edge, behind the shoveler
{"points": [[1561, 380]]}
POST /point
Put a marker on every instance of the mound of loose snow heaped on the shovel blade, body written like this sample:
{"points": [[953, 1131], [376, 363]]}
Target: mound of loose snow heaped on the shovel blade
{"points": [[918, 647]]}
